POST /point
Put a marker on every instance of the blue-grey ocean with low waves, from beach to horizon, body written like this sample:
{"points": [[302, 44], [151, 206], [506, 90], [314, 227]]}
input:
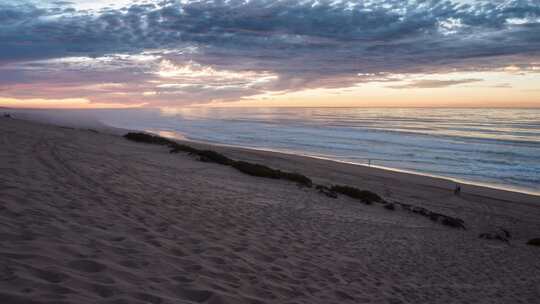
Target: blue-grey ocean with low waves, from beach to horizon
{"points": [[500, 147]]}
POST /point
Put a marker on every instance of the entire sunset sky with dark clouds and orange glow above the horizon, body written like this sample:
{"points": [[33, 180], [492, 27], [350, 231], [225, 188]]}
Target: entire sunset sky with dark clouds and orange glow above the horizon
{"points": [[175, 53]]}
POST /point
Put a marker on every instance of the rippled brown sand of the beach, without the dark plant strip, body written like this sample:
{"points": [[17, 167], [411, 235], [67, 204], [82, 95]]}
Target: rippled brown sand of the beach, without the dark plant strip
{"points": [[89, 217]]}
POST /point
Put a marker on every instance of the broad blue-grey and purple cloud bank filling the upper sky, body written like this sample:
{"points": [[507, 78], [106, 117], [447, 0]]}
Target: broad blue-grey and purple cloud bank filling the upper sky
{"points": [[302, 44]]}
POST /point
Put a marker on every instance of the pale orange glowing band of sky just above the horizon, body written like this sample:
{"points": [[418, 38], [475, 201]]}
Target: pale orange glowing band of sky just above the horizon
{"points": [[480, 89]]}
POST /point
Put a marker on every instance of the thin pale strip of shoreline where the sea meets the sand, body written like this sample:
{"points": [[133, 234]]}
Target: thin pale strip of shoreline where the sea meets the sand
{"points": [[177, 136]]}
